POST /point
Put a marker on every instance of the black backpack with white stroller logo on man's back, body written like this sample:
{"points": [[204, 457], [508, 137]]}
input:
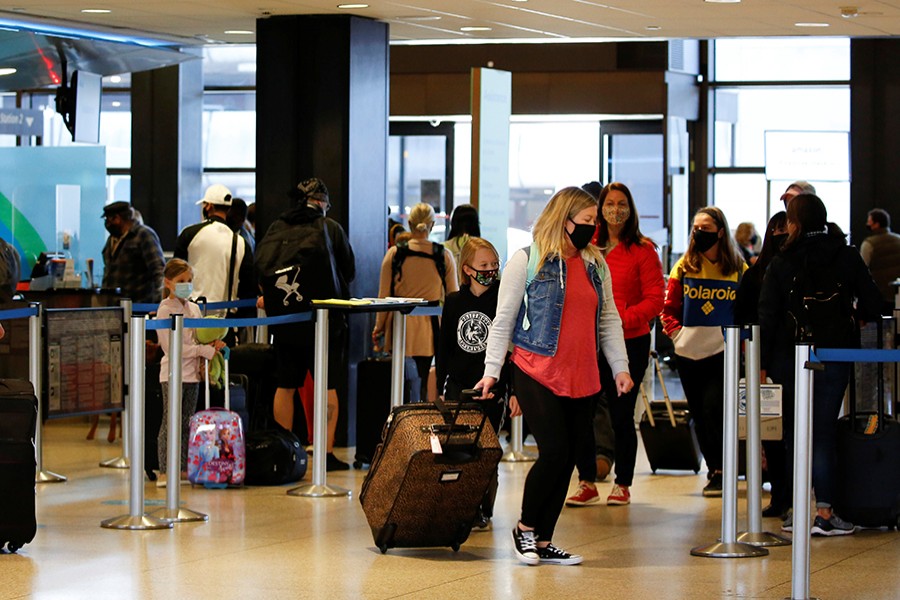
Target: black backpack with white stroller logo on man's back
{"points": [[295, 265]]}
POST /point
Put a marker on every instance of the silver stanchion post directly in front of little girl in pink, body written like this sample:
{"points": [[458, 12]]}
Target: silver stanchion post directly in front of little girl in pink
{"points": [[173, 511]]}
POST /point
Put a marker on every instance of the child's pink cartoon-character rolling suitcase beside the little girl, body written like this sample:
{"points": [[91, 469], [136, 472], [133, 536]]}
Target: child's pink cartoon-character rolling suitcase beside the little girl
{"points": [[216, 454]]}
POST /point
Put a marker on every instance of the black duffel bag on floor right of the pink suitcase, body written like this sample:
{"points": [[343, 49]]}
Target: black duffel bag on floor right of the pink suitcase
{"points": [[274, 457]]}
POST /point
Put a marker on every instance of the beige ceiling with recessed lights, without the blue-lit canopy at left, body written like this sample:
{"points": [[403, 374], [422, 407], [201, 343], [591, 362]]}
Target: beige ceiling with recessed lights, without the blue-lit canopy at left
{"points": [[208, 21]]}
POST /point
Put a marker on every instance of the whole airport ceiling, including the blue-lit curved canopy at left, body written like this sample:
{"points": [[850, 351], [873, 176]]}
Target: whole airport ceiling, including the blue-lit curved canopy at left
{"points": [[109, 37]]}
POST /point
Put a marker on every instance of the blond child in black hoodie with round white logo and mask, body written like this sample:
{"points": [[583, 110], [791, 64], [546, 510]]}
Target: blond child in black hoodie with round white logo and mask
{"points": [[465, 323]]}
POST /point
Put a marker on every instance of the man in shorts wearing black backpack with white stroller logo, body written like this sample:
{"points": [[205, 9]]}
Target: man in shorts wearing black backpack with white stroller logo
{"points": [[304, 256]]}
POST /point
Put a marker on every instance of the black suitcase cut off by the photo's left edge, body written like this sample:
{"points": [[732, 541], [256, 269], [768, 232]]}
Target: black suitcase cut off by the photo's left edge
{"points": [[18, 418]]}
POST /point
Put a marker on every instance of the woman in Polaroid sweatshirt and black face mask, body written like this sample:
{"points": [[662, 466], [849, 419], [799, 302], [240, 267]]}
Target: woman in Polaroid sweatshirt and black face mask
{"points": [[699, 302]]}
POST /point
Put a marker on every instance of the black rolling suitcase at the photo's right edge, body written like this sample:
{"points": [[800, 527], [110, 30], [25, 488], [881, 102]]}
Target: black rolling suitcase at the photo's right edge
{"points": [[868, 450]]}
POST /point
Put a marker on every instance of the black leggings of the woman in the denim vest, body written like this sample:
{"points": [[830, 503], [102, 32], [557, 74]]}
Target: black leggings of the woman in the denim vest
{"points": [[554, 423]]}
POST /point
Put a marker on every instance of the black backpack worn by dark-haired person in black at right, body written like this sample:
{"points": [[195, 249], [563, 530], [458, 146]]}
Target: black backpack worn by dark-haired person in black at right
{"points": [[821, 307]]}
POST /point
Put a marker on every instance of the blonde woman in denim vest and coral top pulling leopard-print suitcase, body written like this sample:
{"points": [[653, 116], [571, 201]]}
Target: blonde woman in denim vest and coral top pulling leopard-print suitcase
{"points": [[556, 307]]}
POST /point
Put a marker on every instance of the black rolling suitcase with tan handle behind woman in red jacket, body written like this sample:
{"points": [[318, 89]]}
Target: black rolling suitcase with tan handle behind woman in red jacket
{"points": [[668, 433]]}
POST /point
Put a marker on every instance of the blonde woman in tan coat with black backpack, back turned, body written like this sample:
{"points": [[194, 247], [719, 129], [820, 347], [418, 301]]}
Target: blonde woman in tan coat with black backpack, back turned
{"points": [[416, 268]]}
